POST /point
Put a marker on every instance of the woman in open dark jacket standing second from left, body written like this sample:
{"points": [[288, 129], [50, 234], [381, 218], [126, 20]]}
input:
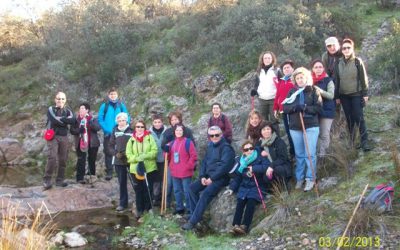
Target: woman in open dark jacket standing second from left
{"points": [[87, 142]]}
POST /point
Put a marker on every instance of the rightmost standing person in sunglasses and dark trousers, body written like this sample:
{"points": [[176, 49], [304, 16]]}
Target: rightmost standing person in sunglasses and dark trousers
{"points": [[351, 91]]}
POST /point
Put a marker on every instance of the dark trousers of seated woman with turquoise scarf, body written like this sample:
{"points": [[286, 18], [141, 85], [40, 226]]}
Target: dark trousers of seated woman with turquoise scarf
{"points": [[250, 205]]}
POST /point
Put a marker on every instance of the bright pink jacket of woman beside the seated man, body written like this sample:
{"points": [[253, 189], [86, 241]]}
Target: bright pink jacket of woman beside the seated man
{"points": [[187, 160]]}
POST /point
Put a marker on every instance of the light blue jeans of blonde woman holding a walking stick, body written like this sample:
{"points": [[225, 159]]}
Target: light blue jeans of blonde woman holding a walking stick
{"points": [[303, 164]]}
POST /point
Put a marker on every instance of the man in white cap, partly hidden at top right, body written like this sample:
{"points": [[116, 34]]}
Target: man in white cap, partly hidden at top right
{"points": [[331, 55]]}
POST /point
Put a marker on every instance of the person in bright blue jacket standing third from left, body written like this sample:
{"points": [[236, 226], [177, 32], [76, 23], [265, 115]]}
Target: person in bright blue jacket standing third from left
{"points": [[107, 113]]}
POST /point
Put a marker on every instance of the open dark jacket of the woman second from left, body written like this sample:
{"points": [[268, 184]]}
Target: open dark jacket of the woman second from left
{"points": [[94, 127]]}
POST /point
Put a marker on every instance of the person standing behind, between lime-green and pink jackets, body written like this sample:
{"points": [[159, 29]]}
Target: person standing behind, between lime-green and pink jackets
{"points": [[157, 131]]}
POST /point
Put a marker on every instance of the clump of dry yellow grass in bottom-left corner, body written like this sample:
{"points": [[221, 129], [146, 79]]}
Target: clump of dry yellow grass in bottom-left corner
{"points": [[28, 232]]}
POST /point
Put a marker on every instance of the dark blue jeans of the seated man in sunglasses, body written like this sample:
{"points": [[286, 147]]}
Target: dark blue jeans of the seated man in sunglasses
{"points": [[199, 202]]}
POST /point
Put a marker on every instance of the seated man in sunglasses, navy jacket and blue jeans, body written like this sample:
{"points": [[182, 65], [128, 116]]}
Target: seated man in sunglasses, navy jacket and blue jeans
{"points": [[213, 175]]}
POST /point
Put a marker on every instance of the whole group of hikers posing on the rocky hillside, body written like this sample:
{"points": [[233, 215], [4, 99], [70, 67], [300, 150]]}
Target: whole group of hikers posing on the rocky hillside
{"points": [[305, 100]]}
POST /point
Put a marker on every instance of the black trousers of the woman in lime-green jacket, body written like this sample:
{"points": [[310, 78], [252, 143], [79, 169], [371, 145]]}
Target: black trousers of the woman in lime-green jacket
{"points": [[142, 192]]}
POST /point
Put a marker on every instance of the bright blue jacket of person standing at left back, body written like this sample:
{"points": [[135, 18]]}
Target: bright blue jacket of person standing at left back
{"points": [[107, 121]]}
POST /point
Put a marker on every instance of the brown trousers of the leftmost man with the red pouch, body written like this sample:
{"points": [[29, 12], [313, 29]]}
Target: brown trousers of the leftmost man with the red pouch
{"points": [[57, 151]]}
